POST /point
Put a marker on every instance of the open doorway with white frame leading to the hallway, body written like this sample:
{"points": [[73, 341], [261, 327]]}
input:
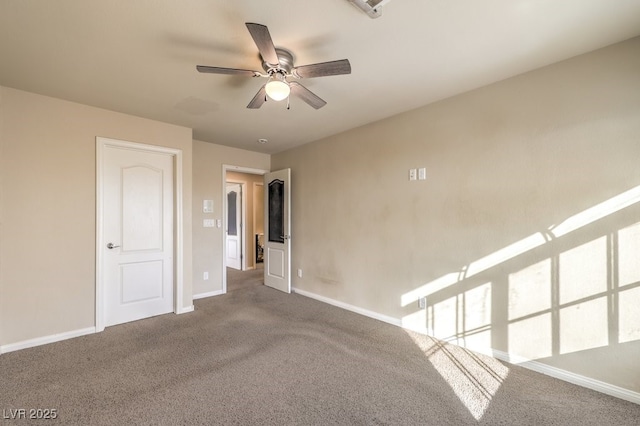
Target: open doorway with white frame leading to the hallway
{"points": [[245, 219]]}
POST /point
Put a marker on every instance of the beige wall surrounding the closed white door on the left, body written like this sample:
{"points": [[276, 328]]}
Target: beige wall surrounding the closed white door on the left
{"points": [[47, 210]]}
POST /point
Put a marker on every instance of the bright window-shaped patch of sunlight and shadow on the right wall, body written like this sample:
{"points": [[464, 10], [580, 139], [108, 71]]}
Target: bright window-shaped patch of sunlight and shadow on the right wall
{"points": [[568, 296]]}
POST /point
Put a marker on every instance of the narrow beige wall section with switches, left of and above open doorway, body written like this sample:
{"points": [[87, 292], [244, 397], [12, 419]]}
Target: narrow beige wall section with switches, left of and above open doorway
{"points": [[208, 161]]}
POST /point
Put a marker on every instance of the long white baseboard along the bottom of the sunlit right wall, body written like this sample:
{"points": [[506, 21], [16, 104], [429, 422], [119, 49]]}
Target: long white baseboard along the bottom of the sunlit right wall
{"points": [[567, 376]]}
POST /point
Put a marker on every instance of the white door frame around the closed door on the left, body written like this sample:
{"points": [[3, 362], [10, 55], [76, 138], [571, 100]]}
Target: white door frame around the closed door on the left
{"points": [[178, 263]]}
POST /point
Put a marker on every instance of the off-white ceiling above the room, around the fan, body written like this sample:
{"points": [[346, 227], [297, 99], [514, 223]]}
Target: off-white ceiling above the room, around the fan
{"points": [[139, 57]]}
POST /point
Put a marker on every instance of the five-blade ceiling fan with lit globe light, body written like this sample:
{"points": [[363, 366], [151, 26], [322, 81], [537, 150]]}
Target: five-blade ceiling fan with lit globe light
{"points": [[279, 69]]}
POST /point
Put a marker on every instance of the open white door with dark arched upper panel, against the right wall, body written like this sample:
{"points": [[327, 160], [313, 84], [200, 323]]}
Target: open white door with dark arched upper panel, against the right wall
{"points": [[277, 232]]}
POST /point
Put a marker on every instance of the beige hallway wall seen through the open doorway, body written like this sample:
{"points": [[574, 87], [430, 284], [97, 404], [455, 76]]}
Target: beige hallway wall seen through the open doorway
{"points": [[254, 212]]}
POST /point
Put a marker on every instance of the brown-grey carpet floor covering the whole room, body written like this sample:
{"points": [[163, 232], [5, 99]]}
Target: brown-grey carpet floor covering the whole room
{"points": [[256, 356]]}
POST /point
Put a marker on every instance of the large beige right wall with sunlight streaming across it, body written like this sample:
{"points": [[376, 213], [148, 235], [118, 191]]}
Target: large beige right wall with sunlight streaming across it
{"points": [[504, 163]]}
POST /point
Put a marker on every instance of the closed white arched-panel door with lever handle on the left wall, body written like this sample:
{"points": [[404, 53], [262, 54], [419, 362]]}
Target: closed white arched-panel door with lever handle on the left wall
{"points": [[138, 234]]}
